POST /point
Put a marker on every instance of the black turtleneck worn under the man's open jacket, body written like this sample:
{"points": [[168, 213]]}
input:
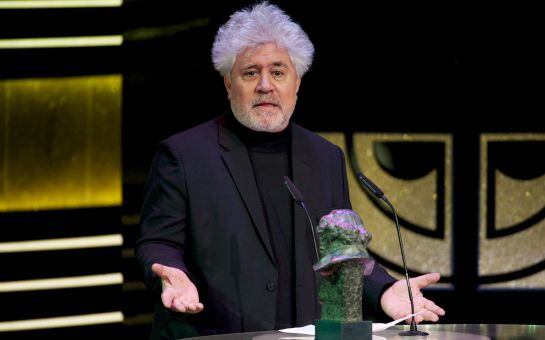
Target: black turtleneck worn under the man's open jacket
{"points": [[270, 155]]}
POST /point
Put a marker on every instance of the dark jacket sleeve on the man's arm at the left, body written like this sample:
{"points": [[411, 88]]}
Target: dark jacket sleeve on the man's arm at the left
{"points": [[162, 237]]}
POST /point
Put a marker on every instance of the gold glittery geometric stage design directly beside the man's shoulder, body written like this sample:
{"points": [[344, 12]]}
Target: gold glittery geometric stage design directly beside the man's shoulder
{"points": [[415, 201]]}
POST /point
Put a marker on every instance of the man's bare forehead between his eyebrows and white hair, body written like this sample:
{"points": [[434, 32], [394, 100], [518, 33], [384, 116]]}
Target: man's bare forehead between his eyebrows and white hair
{"points": [[263, 56]]}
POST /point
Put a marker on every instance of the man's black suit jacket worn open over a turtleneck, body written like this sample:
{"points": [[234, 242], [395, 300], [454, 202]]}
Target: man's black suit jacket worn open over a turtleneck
{"points": [[202, 214]]}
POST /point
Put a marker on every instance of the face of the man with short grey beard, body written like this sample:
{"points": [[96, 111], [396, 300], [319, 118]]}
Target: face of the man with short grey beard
{"points": [[263, 88]]}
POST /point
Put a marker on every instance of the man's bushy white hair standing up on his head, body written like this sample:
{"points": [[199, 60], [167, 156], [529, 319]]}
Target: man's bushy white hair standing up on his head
{"points": [[260, 24]]}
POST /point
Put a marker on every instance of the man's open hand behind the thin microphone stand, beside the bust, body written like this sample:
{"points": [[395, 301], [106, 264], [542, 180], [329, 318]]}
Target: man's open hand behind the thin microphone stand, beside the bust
{"points": [[395, 300]]}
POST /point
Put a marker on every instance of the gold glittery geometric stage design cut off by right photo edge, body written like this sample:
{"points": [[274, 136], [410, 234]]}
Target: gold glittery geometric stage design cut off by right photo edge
{"points": [[515, 201]]}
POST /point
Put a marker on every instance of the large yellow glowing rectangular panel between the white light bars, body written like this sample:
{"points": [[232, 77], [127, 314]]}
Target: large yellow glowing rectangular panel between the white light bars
{"points": [[60, 143]]}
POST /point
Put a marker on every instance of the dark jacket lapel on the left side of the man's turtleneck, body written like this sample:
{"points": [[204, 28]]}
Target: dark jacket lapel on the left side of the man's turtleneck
{"points": [[235, 156]]}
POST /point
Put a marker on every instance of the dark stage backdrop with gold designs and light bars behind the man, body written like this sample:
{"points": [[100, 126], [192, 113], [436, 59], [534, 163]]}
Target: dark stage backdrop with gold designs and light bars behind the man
{"points": [[441, 106]]}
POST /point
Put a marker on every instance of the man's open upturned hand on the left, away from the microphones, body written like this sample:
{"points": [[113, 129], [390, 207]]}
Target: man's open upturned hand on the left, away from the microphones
{"points": [[179, 293]]}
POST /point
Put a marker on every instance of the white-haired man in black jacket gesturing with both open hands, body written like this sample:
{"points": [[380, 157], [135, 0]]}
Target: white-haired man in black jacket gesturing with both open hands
{"points": [[222, 244]]}
